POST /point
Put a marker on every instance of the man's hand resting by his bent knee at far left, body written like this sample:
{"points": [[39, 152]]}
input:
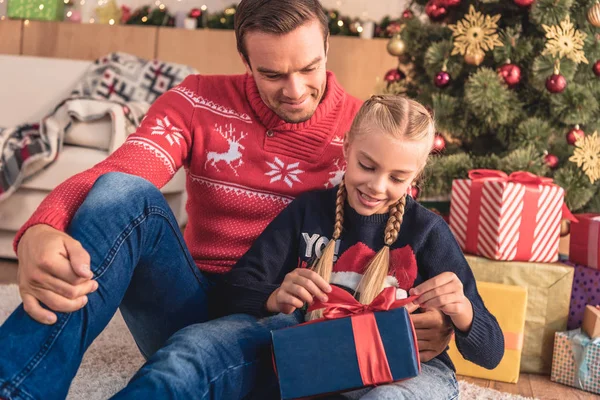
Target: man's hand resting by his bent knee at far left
{"points": [[53, 269]]}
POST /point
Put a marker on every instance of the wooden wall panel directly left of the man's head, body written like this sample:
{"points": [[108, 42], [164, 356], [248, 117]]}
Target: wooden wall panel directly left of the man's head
{"points": [[209, 51]]}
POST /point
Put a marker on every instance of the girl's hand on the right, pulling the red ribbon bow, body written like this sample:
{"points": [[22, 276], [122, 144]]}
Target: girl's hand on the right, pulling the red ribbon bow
{"points": [[445, 292]]}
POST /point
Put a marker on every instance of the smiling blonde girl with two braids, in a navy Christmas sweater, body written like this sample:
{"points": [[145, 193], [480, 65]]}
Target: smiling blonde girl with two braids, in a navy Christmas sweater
{"points": [[379, 237]]}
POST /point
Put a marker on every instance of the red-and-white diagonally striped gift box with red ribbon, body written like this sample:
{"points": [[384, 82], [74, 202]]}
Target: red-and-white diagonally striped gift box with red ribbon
{"points": [[503, 217]]}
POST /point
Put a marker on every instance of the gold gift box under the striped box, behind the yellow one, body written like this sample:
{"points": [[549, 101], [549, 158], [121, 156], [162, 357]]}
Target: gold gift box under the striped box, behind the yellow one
{"points": [[548, 296]]}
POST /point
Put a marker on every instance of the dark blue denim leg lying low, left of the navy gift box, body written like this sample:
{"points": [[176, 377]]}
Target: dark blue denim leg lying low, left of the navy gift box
{"points": [[220, 359]]}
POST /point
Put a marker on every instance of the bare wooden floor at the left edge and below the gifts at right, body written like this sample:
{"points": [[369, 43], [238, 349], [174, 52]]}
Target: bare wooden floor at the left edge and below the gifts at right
{"points": [[539, 386]]}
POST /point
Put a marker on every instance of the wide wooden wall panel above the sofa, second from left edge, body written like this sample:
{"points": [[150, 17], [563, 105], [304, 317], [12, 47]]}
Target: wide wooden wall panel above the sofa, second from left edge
{"points": [[87, 41]]}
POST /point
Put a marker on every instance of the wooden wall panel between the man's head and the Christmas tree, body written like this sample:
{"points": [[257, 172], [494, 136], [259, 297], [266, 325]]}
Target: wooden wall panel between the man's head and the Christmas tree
{"points": [[359, 64]]}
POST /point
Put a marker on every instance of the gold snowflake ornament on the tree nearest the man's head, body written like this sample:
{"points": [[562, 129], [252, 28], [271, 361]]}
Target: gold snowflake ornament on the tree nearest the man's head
{"points": [[476, 33]]}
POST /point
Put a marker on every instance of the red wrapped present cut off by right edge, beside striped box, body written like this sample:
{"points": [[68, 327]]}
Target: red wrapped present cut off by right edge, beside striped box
{"points": [[584, 248]]}
